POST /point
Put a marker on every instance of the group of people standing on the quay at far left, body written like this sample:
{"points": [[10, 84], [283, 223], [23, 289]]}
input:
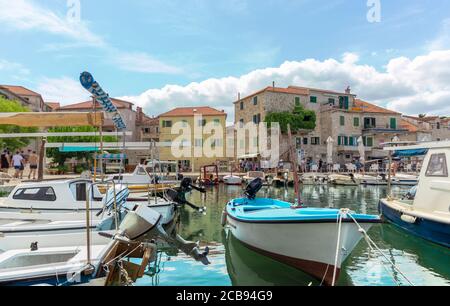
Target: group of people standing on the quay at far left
{"points": [[19, 161]]}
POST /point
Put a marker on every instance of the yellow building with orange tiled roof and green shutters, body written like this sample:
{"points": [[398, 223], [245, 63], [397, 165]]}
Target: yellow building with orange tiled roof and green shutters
{"points": [[199, 132]]}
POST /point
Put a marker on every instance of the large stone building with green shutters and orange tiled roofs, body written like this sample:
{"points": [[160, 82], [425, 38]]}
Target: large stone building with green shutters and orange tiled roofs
{"points": [[340, 115]]}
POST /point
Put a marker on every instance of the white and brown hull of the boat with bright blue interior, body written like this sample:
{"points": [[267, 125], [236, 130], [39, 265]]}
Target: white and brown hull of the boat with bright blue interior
{"points": [[310, 247]]}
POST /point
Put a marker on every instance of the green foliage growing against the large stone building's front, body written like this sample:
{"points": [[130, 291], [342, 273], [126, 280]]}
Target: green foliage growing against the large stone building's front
{"points": [[299, 119]]}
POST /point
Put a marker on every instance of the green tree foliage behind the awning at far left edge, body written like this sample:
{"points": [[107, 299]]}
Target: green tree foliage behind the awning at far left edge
{"points": [[8, 106]]}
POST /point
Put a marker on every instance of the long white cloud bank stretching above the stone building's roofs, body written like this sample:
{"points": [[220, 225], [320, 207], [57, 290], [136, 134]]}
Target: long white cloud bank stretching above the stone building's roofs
{"points": [[401, 86]]}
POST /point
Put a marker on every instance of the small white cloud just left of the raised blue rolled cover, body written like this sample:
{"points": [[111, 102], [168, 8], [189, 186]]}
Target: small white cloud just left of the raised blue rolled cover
{"points": [[64, 90]]}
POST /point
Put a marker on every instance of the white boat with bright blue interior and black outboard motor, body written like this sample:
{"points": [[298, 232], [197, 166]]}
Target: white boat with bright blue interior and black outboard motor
{"points": [[308, 239]]}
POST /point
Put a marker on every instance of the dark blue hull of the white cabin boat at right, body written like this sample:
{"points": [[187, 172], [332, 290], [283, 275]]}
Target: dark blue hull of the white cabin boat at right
{"points": [[435, 232]]}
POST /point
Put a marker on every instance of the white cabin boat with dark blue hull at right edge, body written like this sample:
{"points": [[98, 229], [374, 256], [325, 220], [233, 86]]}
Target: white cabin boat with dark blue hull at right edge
{"points": [[425, 213]]}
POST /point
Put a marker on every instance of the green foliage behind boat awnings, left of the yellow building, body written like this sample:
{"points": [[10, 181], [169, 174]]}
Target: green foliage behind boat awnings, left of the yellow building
{"points": [[60, 157]]}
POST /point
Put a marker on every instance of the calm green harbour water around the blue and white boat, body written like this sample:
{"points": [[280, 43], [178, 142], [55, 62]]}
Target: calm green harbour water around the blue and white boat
{"points": [[233, 264]]}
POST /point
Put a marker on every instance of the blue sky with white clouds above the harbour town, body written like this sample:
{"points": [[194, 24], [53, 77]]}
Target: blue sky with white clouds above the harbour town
{"points": [[161, 54]]}
